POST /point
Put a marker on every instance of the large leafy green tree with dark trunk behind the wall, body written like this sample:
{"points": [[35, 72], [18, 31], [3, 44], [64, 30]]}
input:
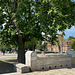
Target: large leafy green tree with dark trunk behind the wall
{"points": [[22, 20]]}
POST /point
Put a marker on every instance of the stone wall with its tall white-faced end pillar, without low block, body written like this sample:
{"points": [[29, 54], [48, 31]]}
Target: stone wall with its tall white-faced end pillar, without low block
{"points": [[44, 62]]}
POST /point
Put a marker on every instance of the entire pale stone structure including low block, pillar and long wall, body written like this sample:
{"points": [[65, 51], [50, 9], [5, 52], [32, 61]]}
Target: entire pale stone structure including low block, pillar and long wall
{"points": [[46, 62]]}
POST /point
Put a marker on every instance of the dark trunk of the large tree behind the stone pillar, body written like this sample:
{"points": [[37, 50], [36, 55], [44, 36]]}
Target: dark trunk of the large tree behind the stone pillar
{"points": [[21, 49]]}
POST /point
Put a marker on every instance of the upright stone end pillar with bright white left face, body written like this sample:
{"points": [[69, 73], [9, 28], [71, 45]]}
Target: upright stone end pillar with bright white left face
{"points": [[31, 59]]}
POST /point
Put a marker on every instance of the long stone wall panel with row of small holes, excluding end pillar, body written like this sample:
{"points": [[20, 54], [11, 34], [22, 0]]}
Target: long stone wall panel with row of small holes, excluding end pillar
{"points": [[56, 61]]}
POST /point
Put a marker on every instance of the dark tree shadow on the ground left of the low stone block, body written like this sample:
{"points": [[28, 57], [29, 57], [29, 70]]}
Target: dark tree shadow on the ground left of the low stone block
{"points": [[6, 67]]}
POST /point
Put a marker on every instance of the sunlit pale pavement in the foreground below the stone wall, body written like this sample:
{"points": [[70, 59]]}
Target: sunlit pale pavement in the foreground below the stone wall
{"points": [[64, 71]]}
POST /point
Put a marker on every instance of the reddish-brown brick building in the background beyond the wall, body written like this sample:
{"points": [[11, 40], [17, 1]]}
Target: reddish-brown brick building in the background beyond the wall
{"points": [[64, 45]]}
